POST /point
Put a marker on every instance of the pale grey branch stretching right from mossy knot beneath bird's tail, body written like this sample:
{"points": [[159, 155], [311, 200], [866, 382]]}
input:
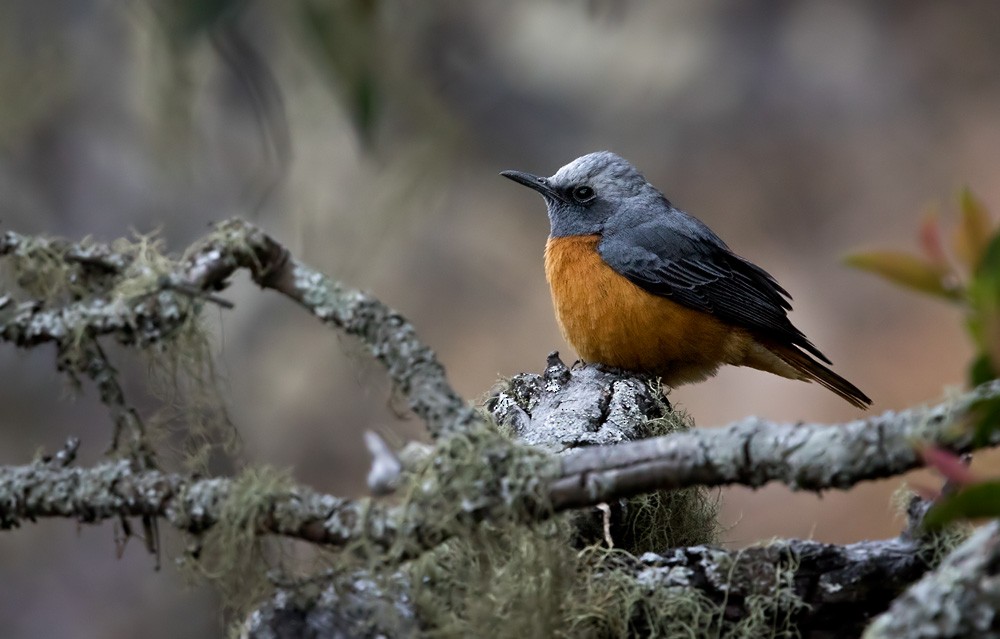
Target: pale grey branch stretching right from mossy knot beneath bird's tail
{"points": [[753, 451]]}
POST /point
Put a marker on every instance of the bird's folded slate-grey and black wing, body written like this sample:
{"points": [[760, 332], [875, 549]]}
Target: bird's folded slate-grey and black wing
{"points": [[678, 257]]}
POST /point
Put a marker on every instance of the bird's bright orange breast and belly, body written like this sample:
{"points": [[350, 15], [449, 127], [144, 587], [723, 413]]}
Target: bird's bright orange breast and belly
{"points": [[610, 320]]}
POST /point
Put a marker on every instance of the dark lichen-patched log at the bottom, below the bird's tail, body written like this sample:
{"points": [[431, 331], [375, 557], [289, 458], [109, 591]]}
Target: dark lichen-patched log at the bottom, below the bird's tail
{"points": [[820, 590]]}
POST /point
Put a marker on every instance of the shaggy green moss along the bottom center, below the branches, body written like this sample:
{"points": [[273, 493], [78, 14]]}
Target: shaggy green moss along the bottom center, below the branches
{"points": [[521, 582]]}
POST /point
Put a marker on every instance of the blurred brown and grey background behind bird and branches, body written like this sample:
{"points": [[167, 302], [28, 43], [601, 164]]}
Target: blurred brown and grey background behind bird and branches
{"points": [[367, 135]]}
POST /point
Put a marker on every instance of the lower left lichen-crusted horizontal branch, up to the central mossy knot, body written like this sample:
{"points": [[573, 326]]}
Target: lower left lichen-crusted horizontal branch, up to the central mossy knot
{"points": [[434, 510]]}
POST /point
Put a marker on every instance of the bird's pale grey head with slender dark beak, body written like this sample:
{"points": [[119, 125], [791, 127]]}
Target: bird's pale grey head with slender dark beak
{"points": [[583, 196]]}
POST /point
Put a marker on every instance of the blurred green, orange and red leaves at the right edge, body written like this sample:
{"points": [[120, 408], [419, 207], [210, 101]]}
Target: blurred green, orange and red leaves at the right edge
{"points": [[968, 276]]}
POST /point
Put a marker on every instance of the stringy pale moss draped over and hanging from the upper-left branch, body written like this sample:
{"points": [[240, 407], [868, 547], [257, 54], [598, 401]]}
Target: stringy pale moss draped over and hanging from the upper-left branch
{"points": [[126, 280]]}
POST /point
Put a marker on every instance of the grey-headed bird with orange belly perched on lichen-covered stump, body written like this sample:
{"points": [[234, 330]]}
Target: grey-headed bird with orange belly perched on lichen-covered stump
{"points": [[639, 285]]}
